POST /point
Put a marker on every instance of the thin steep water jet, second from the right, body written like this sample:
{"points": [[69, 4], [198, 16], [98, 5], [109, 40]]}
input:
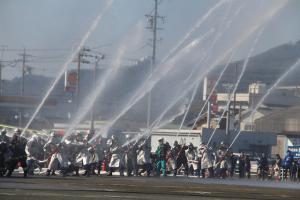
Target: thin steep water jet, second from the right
{"points": [[238, 81]]}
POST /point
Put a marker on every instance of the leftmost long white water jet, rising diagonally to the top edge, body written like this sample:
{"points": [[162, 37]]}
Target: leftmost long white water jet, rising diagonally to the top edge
{"points": [[69, 61]]}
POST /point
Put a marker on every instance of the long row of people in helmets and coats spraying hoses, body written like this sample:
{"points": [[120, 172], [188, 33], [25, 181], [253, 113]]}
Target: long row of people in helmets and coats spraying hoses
{"points": [[78, 155]]}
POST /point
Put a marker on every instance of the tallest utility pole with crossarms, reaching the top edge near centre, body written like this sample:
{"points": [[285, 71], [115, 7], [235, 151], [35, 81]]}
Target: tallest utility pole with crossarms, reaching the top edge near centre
{"points": [[152, 20]]}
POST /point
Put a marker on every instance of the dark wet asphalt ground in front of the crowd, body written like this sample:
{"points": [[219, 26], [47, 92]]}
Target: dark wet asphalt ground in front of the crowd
{"points": [[73, 188]]}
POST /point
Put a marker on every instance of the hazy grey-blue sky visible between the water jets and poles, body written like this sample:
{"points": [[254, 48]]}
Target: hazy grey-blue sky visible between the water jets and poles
{"points": [[40, 25]]}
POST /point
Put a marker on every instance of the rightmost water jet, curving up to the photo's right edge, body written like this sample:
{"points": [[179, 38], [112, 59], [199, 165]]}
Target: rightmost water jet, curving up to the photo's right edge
{"points": [[283, 76]]}
